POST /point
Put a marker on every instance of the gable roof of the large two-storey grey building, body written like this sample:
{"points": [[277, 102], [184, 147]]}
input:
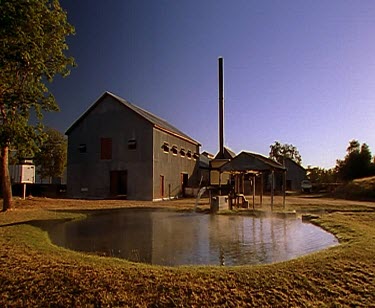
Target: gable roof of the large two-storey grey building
{"points": [[148, 116]]}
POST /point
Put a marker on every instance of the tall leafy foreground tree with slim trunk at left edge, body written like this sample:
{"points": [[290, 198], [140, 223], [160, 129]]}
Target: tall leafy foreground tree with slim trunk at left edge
{"points": [[32, 51]]}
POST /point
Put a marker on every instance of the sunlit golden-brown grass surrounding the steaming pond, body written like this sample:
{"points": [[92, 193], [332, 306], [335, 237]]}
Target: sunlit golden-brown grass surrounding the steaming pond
{"points": [[34, 272]]}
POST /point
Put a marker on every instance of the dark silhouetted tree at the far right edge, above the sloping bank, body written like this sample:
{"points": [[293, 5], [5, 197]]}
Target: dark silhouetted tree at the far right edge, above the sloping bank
{"points": [[357, 162]]}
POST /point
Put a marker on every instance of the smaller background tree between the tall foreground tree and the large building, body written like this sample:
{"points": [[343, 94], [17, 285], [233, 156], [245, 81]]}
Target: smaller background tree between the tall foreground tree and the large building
{"points": [[51, 158]]}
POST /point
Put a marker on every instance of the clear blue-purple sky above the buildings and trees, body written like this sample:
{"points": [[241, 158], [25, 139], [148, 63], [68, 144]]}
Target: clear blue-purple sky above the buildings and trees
{"points": [[300, 72]]}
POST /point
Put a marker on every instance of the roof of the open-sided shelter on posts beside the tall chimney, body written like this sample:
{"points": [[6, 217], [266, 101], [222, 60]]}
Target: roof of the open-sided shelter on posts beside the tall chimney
{"points": [[251, 162]]}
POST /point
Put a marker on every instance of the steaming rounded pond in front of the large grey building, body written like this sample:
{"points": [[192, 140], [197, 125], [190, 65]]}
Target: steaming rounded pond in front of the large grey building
{"points": [[179, 238]]}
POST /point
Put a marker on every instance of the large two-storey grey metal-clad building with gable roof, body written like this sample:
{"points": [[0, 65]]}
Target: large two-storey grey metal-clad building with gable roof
{"points": [[118, 149]]}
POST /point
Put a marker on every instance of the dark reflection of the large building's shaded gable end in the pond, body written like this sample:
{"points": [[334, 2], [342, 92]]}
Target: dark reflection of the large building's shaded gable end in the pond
{"points": [[124, 234]]}
